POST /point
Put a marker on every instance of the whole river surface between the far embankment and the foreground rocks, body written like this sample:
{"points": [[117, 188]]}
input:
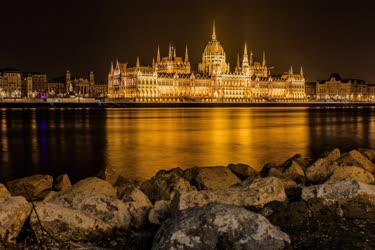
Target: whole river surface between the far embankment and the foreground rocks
{"points": [[139, 142]]}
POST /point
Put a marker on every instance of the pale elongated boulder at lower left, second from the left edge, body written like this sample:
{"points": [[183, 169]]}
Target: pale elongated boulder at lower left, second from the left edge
{"points": [[67, 224]]}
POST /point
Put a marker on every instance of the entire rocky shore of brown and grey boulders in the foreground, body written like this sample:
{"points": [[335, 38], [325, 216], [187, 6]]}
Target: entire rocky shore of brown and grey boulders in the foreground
{"points": [[327, 203]]}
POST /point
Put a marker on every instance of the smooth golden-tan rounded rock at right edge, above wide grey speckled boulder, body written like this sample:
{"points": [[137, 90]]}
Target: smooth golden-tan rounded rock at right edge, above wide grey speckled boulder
{"points": [[351, 173]]}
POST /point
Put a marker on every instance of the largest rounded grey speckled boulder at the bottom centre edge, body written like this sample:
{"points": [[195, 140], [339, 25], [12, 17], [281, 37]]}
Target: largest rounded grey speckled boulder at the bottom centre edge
{"points": [[219, 227]]}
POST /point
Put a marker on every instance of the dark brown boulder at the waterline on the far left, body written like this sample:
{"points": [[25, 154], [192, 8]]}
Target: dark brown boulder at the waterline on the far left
{"points": [[32, 188]]}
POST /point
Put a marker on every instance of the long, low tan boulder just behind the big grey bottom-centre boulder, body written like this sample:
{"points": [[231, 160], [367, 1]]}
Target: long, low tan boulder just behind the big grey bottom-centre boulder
{"points": [[260, 192]]}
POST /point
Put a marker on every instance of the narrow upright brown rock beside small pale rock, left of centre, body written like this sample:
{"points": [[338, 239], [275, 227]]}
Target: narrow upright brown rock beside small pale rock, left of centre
{"points": [[139, 204]]}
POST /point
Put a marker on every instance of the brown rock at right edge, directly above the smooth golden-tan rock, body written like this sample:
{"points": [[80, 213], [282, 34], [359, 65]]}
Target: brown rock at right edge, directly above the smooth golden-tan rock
{"points": [[355, 158]]}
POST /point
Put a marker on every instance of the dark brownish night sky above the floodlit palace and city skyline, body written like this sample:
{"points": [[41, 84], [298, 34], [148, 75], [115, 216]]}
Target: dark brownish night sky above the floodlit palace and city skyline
{"points": [[82, 35]]}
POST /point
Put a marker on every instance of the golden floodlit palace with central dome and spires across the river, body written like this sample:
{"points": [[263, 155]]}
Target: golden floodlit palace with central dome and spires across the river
{"points": [[171, 79]]}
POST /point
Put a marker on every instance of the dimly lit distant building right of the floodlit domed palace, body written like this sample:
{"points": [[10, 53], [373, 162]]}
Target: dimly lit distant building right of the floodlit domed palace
{"points": [[336, 88]]}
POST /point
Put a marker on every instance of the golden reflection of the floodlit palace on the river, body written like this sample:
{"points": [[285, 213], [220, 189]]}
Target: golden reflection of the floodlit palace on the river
{"points": [[141, 142]]}
